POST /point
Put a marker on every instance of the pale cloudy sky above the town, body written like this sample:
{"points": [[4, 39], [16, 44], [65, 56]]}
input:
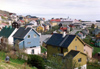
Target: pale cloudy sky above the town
{"points": [[74, 9]]}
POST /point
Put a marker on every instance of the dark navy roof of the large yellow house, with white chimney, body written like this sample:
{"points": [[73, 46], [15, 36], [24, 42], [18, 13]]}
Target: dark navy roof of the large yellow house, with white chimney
{"points": [[60, 41]]}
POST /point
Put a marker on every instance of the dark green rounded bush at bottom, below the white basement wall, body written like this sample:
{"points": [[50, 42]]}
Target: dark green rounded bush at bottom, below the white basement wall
{"points": [[37, 61]]}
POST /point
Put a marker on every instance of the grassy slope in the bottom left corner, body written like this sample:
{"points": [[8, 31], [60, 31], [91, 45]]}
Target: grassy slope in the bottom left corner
{"points": [[14, 63]]}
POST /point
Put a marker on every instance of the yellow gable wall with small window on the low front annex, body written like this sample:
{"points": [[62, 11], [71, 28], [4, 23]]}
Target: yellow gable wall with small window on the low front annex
{"points": [[83, 59]]}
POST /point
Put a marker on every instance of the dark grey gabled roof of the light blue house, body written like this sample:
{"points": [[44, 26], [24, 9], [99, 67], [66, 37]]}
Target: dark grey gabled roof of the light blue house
{"points": [[21, 32]]}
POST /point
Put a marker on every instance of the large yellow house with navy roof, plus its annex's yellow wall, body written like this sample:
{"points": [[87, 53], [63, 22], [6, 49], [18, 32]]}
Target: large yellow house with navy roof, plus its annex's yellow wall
{"points": [[62, 45]]}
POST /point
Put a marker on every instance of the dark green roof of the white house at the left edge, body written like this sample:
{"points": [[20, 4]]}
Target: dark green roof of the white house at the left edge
{"points": [[6, 32]]}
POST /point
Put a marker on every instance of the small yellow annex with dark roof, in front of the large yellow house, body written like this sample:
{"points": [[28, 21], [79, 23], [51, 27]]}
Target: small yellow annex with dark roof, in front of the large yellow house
{"points": [[79, 58]]}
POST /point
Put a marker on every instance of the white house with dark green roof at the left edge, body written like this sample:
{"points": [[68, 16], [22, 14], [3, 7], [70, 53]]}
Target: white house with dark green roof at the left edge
{"points": [[7, 32]]}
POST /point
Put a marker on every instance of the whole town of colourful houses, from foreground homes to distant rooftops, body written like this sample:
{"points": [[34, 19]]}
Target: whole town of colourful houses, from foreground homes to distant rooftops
{"points": [[26, 32]]}
